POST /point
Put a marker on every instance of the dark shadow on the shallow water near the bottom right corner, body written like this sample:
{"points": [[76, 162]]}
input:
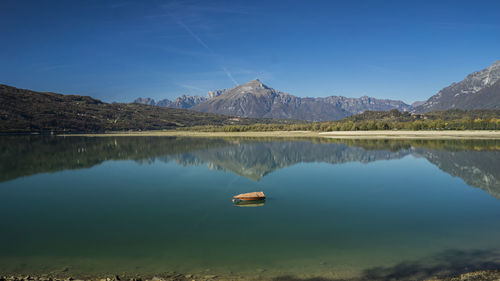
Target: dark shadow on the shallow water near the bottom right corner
{"points": [[446, 263]]}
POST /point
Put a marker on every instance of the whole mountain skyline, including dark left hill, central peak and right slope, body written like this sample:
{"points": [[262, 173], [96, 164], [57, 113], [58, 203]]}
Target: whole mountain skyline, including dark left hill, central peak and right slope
{"points": [[29, 111]]}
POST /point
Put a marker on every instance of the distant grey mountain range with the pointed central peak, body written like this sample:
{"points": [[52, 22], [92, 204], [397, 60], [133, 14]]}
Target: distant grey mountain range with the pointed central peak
{"points": [[257, 100]]}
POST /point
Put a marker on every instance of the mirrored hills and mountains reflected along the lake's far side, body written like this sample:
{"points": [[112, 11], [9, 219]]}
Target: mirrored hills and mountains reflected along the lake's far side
{"points": [[477, 162]]}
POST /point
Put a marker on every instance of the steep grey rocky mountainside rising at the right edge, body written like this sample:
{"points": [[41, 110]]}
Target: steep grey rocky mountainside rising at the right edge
{"points": [[479, 90]]}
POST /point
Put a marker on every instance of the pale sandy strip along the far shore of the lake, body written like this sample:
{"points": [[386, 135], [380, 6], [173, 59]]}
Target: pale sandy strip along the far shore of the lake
{"points": [[478, 134]]}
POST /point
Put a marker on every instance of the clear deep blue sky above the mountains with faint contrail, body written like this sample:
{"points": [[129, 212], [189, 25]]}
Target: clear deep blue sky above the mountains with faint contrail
{"points": [[119, 50]]}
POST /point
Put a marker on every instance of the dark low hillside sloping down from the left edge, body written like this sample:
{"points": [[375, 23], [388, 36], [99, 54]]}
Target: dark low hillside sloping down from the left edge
{"points": [[25, 111]]}
